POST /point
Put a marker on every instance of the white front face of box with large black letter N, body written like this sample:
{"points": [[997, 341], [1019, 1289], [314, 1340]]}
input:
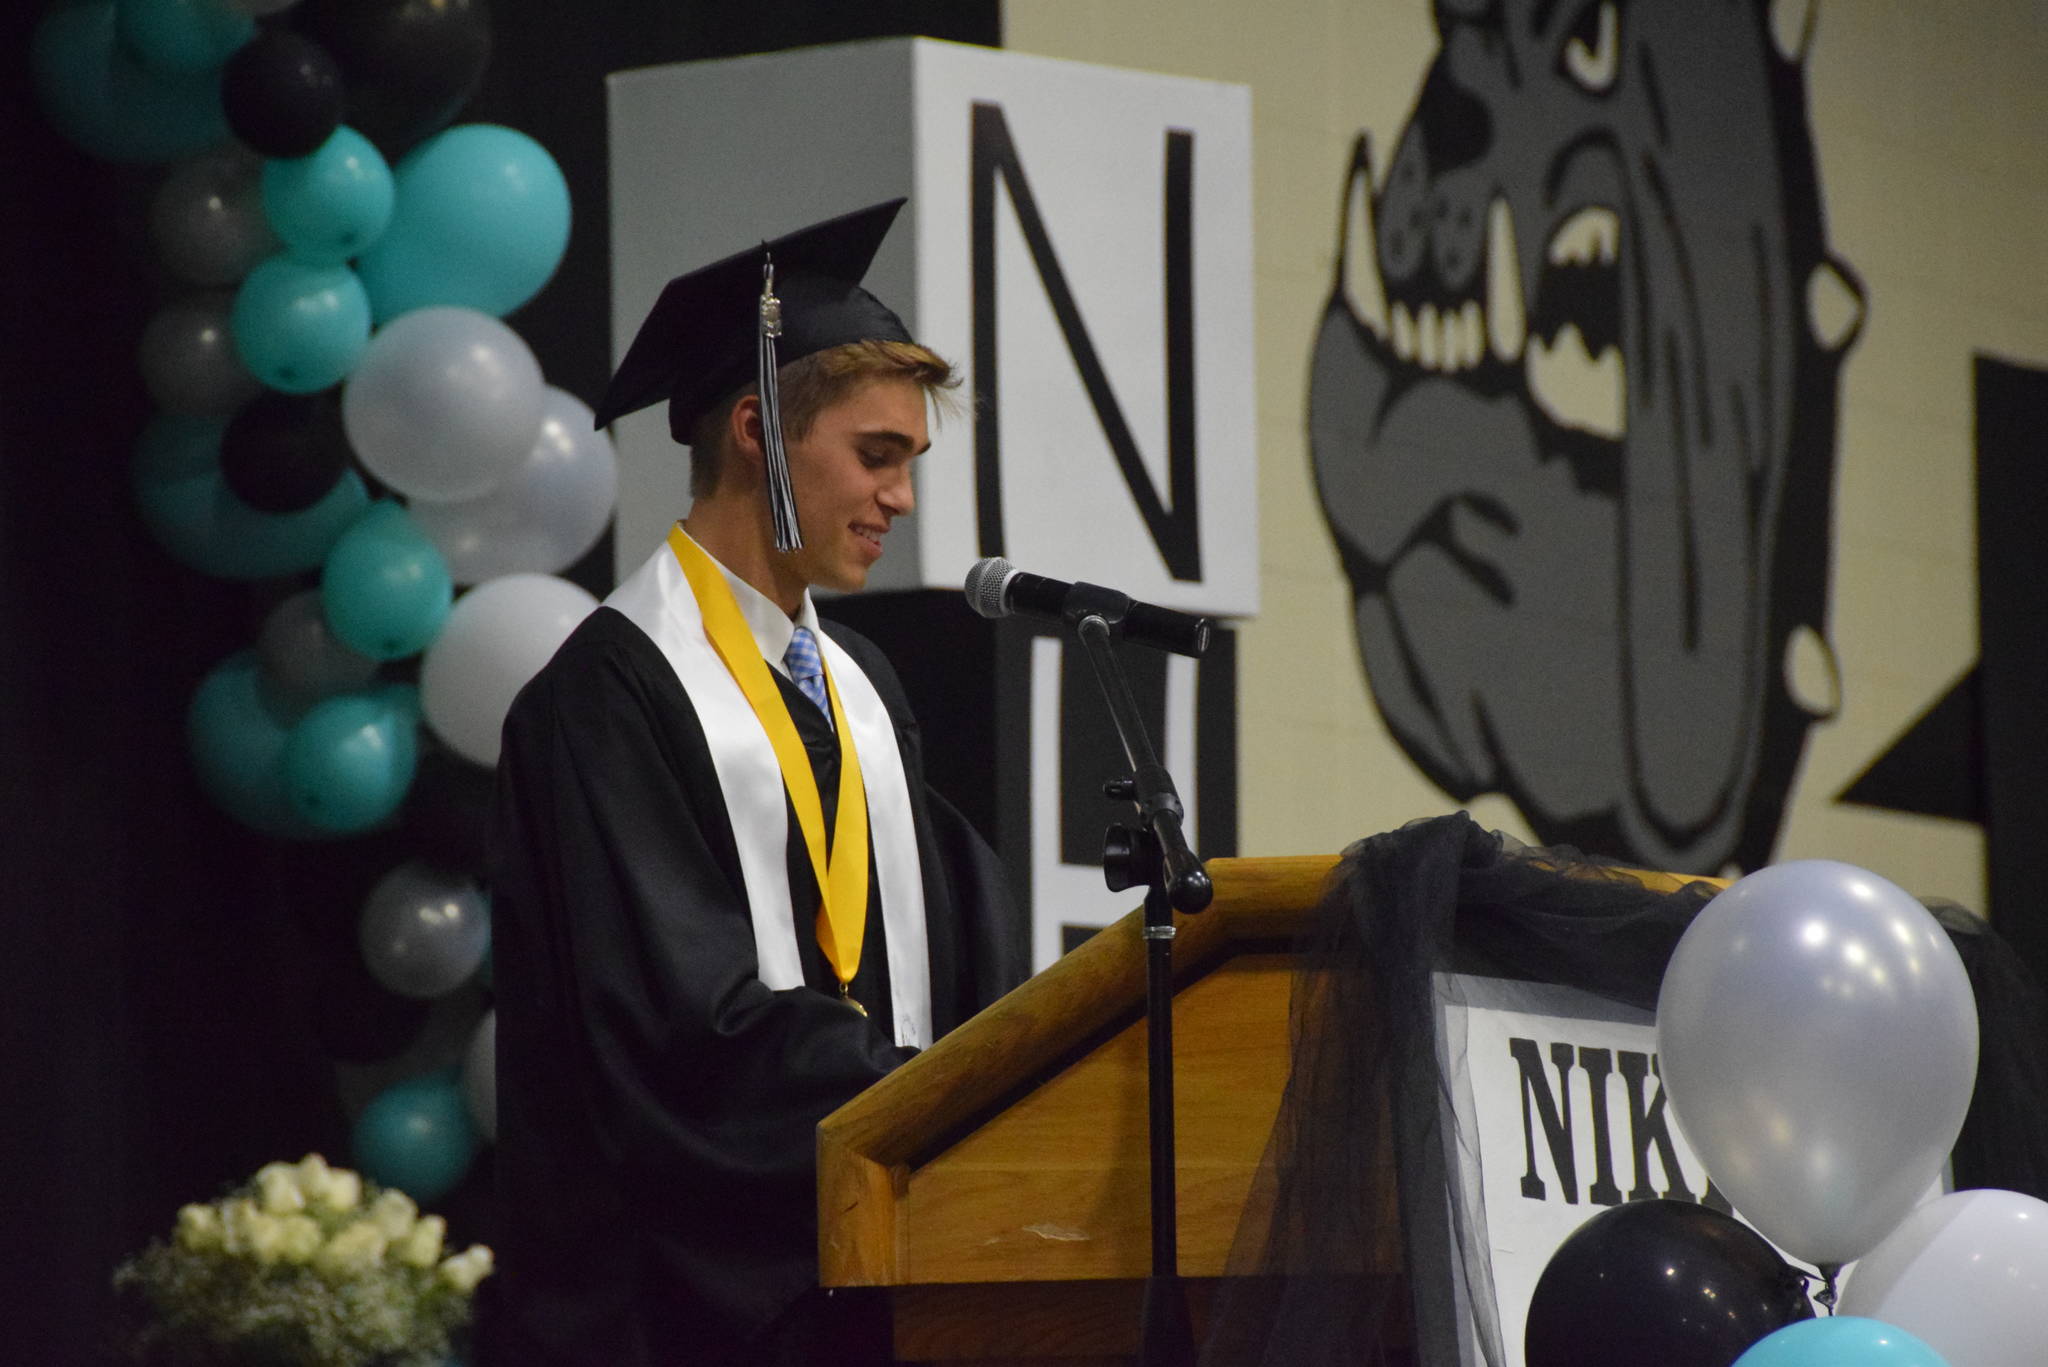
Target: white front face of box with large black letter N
{"points": [[1111, 331]]}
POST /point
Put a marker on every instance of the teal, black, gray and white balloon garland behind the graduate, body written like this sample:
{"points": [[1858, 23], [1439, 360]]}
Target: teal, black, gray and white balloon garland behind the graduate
{"points": [[343, 407]]}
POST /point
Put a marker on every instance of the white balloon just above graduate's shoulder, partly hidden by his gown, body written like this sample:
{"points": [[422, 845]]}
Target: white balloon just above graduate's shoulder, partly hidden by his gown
{"points": [[497, 638]]}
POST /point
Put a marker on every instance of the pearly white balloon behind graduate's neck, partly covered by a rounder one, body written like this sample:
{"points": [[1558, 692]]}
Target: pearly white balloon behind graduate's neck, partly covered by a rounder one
{"points": [[542, 517]]}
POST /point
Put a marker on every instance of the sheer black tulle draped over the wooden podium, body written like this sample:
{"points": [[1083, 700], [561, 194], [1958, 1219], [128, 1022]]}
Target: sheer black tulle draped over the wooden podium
{"points": [[1355, 1177]]}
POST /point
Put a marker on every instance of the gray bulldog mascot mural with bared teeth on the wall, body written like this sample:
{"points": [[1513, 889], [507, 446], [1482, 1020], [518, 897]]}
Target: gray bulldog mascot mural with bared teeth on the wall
{"points": [[1574, 421]]}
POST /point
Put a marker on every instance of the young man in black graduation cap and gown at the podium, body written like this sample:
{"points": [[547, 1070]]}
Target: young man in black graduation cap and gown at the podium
{"points": [[724, 901]]}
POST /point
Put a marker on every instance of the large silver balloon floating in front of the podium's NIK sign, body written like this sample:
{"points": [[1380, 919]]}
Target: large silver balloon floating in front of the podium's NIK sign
{"points": [[1818, 1040]]}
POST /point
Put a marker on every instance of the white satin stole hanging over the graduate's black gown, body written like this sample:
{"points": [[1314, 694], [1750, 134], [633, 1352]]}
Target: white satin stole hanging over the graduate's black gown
{"points": [[658, 602]]}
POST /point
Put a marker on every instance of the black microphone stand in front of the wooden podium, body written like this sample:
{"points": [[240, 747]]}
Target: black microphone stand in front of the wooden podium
{"points": [[1154, 856]]}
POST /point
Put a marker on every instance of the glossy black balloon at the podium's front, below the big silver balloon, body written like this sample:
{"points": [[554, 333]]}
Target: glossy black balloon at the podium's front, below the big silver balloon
{"points": [[1660, 1282]]}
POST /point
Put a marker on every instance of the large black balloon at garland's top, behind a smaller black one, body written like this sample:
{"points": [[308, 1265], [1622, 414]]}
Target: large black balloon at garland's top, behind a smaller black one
{"points": [[411, 65]]}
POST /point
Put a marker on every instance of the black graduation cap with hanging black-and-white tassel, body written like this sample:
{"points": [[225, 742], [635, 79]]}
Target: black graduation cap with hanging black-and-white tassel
{"points": [[736, 321]]}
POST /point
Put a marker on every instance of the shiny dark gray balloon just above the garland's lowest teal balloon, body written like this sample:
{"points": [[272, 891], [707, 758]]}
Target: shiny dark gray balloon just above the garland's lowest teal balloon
{"points": [[425, 929]]}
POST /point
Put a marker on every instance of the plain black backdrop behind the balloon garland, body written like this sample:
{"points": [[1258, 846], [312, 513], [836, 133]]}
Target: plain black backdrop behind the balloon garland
{"points": [[175, 991]]}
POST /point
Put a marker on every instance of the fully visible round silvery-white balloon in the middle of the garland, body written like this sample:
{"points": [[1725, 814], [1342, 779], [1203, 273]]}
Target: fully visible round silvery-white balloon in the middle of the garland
{"points": [[443, 405]]}
